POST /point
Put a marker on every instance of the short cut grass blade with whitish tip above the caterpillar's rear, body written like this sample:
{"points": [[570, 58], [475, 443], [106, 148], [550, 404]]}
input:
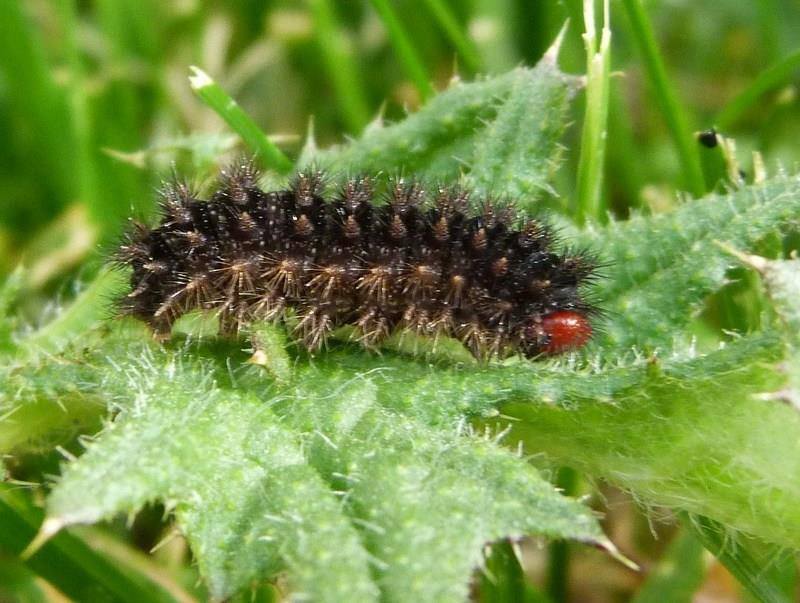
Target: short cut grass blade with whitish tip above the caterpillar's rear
{"points": [[228, 109]]}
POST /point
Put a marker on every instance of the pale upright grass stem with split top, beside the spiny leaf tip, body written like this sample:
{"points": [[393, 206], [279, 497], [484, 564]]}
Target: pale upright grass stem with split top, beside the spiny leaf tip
{"points": [[593, 138]]}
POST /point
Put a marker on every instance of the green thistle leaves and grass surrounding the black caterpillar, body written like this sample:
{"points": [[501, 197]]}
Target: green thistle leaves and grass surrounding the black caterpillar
{"points": [[352, 476]]}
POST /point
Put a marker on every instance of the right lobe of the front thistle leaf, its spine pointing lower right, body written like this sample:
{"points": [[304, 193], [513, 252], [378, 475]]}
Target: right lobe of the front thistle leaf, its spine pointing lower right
{"points": [[428, 499]]}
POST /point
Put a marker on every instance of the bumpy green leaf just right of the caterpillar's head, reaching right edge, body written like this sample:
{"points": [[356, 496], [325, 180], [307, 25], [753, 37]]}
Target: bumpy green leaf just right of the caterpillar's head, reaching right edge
{"points": [[662, 268]]}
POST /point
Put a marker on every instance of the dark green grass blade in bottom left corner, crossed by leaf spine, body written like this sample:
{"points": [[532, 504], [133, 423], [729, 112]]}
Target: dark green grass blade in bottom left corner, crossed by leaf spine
{"points": [[67, 562]]}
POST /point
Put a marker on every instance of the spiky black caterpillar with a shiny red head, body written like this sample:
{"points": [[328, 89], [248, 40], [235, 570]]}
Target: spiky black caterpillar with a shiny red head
{"points": [[426, 265]]}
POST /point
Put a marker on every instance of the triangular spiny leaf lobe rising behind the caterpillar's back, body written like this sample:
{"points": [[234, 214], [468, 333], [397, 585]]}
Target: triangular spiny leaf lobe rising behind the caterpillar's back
{"points": [[503, 130]]}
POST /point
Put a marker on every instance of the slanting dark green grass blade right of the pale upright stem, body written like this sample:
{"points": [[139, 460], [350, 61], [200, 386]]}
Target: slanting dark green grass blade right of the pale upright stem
{"points": [[666, 97]]}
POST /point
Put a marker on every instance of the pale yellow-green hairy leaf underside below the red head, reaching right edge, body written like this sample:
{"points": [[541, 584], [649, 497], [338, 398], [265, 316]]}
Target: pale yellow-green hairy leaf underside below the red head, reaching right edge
{"points": [[691, 434]]}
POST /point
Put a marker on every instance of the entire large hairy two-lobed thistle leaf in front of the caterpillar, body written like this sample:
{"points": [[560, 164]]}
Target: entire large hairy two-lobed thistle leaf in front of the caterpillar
{"points": [[349, 496]]}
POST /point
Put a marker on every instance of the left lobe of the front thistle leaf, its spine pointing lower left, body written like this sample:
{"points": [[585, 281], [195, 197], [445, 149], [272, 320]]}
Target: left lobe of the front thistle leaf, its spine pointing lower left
{"points": [[243, 494]]}
